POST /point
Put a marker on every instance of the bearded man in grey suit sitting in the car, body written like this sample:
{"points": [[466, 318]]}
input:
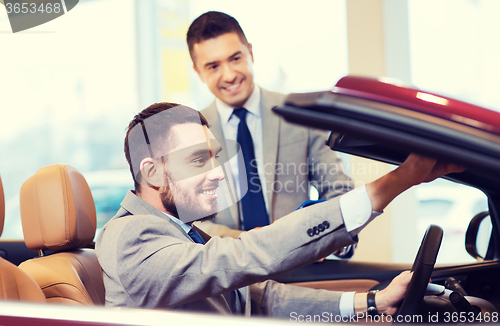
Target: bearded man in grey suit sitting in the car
{"points": [[152, 257]]}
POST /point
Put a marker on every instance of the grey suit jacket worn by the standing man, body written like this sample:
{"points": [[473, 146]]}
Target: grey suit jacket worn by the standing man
{"points": [[294, 156]]}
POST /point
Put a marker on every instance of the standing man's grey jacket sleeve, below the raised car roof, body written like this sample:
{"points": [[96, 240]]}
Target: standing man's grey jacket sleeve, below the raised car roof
{"points": [[326, 172]]}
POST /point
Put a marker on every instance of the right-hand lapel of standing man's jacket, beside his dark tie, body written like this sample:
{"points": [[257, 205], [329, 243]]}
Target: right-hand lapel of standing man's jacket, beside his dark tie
{"points": [[270, 139]]}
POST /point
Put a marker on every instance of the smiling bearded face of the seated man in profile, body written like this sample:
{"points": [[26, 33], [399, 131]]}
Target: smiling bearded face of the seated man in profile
{"points": [[193, 174]]}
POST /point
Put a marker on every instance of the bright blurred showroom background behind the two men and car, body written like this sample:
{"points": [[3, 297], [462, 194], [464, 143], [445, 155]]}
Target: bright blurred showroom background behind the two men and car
{"points": [[68, 88]]}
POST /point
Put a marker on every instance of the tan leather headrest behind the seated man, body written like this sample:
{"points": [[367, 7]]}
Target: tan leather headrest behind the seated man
{"points": [[57, 209]]}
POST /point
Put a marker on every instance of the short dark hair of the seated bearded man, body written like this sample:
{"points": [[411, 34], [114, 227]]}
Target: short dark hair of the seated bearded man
{"points": [[148, 137]]}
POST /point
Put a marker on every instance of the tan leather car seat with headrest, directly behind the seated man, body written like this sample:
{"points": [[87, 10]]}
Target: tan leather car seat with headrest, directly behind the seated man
{"points": [[58, 214]]}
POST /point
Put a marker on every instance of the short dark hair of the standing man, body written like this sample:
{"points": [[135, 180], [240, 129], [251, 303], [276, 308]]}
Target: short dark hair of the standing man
{"points": [[210, 25]]}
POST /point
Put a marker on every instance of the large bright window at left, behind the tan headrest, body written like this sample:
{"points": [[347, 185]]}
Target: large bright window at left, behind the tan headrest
{"points": [[67, 94]]}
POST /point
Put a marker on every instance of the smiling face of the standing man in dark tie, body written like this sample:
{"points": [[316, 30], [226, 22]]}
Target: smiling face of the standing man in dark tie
{"points": [[225, 64]]}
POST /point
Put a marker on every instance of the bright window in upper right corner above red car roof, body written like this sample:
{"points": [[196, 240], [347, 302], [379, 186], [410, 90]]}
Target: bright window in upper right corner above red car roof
{"points": [[455, 50]]}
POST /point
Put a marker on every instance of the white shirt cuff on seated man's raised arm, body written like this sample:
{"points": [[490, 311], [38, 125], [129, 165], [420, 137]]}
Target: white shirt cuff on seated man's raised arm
{"points": [[356, 209]]}
